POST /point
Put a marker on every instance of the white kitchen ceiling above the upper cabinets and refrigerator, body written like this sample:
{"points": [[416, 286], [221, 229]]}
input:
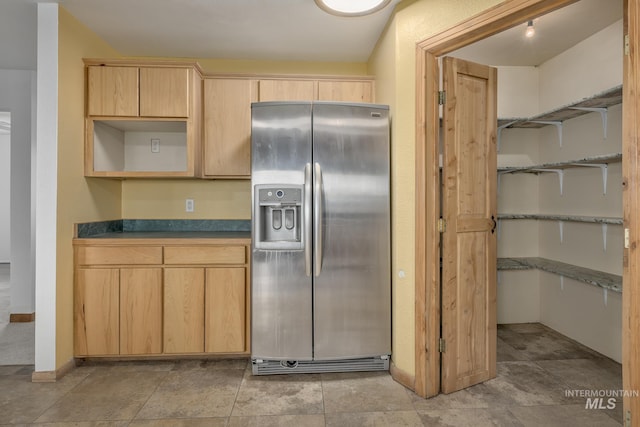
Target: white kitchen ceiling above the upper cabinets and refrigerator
{"points": [[234, 29]]}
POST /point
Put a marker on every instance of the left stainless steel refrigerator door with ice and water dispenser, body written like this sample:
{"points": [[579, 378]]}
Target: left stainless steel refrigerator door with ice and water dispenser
{"points": [[281, 300]]}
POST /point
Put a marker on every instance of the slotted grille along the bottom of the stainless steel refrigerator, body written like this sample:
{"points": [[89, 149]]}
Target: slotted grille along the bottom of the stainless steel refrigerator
{"points": [[274, 367]]}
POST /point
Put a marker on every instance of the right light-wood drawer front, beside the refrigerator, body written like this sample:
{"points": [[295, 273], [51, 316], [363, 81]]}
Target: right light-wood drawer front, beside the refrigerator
{"points": [[204, 255]]}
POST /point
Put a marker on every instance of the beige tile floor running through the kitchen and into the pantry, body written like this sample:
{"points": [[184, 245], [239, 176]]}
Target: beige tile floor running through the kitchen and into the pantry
{"points": [[536, 365]]}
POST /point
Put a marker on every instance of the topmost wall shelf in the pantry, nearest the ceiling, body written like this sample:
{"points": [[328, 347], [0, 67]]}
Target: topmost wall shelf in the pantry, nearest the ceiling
{"points": [[602, 100]]}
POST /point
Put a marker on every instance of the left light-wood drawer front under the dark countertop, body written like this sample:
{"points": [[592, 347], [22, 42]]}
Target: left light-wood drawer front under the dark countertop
{"points": [[111, 255]]}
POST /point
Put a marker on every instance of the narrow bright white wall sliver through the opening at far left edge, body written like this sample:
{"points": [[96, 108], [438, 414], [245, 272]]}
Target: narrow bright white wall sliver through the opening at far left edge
{"points": [[5, 194]]}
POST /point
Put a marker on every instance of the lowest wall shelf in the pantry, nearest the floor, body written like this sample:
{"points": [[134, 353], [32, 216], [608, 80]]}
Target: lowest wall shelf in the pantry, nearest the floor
{"points": [[607, 281]]}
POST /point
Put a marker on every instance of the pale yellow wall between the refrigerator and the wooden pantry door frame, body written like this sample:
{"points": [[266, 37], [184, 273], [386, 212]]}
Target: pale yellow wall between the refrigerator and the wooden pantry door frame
{"points": [[393, 62]]}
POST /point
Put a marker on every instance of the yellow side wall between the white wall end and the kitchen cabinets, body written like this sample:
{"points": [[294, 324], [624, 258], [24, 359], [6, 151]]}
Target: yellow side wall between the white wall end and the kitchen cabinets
{"points": [[79, 199]]}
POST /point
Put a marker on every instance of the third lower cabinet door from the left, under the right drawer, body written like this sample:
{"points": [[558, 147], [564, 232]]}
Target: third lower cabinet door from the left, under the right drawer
{"points": [[184, 310]]}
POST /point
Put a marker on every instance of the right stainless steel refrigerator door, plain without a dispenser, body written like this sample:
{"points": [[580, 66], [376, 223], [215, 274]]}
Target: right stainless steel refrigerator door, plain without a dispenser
{"points": [[352, 231]]}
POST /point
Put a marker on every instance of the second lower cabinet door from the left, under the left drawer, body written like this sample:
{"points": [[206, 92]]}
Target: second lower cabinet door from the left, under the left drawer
{"points": [[140, 310]]}
